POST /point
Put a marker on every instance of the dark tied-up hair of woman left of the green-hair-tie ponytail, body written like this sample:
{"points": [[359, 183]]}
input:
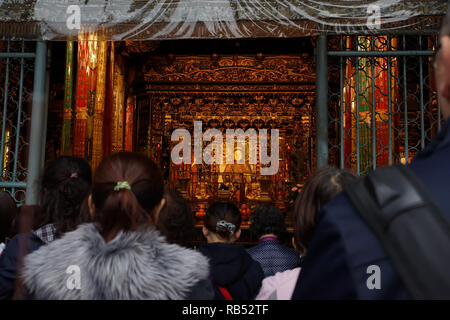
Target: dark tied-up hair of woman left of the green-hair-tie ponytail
{"points": [[65, 184]]}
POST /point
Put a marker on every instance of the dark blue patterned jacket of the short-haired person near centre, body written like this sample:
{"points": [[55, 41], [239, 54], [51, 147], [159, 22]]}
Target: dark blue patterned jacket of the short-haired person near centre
{"points": [[274, 257]]}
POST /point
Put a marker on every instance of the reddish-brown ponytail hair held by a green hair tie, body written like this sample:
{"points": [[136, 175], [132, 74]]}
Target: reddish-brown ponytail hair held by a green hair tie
{"points": [[123, 209]]}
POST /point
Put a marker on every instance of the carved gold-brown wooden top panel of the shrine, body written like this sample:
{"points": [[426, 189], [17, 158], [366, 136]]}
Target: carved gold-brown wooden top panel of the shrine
{"points": [[240, 69]]}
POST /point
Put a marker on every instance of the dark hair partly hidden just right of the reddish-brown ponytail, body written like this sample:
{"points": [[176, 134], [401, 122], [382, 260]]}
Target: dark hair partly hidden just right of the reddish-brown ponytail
{"points": [[176, 221]]}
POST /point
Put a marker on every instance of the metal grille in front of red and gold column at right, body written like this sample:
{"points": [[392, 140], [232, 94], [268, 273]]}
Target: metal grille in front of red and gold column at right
{"points": [[383, 104]]}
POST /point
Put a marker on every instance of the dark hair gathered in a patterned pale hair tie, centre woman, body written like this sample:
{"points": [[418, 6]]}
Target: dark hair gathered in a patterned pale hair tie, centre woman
{"points": [[222, 211]]}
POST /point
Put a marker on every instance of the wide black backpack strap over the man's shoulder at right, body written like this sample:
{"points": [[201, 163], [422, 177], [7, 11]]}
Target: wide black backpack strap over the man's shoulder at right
{"points": [[409, 225]]}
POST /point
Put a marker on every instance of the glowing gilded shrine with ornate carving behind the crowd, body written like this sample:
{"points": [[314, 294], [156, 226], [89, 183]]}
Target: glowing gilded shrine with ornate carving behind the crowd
{"points": [[229, 92]]}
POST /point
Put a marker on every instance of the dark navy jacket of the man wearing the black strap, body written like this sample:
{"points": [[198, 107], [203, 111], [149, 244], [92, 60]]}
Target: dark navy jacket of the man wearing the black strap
{"points": [[343, 246]]}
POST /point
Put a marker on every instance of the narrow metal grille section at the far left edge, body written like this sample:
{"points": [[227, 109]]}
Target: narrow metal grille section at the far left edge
{"points": [[16, 84]]}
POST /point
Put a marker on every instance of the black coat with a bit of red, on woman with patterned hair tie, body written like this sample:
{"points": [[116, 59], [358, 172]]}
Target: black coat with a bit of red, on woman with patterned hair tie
{"points": [[232, 267]]}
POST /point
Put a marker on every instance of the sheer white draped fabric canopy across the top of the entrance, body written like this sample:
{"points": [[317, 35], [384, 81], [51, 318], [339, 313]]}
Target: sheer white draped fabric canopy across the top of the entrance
{"points": [[194, 19]]}
